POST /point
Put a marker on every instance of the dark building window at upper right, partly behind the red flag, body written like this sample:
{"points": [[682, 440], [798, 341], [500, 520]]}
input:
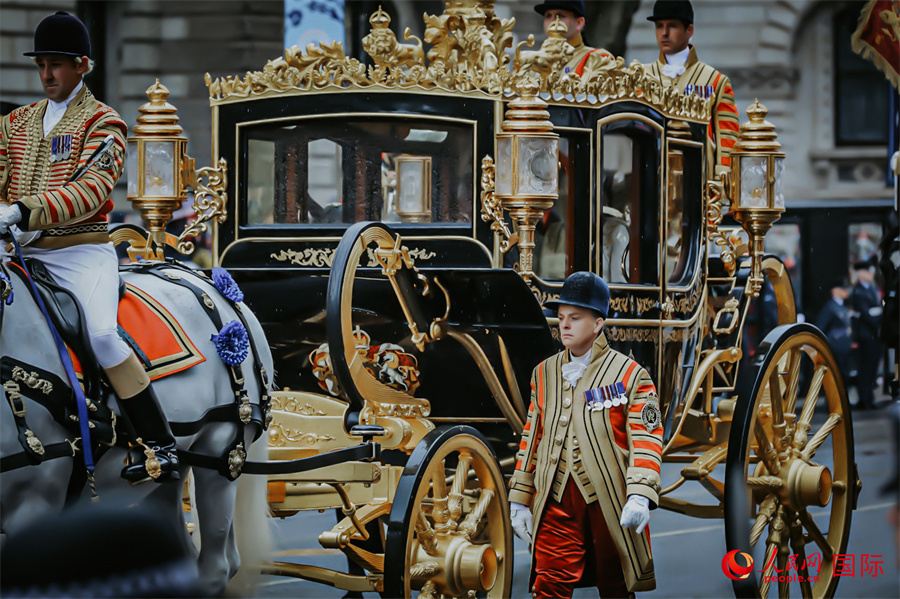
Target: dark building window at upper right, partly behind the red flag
{"points": [[861, 109]]}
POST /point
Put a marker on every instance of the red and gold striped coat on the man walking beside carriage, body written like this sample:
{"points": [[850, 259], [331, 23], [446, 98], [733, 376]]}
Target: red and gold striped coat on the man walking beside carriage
{"points": [[618, 454]]}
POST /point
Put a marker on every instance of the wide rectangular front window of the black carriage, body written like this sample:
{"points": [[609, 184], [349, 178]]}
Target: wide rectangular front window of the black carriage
{"points": [[340, 171]]}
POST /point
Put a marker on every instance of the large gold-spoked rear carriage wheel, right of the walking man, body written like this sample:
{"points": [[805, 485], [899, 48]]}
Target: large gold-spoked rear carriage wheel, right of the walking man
{"points": [[791, 480]]}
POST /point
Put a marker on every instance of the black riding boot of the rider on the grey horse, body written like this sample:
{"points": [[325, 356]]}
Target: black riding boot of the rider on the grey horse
{"points": [[158, 460]]}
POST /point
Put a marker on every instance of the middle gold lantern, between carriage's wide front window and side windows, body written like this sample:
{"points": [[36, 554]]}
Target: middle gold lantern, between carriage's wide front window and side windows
{"points": [[527, 167]]}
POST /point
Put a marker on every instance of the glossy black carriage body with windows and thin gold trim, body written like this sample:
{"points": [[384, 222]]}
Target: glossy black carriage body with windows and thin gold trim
{"points": [[281, 232]]}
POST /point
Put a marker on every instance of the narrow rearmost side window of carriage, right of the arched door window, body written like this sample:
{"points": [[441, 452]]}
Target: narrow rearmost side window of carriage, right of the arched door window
{"points": [[683, 207]]}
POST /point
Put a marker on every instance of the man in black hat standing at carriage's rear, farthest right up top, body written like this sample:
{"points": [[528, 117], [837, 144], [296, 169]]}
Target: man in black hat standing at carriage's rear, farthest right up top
{"points": [[678, 65]]}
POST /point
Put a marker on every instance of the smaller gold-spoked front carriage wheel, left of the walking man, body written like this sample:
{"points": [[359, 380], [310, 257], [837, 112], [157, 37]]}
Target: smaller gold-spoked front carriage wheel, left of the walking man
{"points": [[449, 532]]}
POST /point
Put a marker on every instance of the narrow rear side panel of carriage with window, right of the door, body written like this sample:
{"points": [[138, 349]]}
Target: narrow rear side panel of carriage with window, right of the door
{"points": [[682, 255]]}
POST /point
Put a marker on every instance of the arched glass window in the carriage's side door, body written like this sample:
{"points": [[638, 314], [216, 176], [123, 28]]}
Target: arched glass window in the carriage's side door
{"points": [[629, 199]]}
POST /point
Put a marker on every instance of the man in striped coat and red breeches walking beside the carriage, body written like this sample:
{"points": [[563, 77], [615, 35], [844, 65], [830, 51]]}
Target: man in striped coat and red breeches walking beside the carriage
{"points": [[587, 471]]}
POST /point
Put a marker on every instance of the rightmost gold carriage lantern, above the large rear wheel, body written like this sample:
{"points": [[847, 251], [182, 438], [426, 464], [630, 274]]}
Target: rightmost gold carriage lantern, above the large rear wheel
{"points": [[757, 199]]}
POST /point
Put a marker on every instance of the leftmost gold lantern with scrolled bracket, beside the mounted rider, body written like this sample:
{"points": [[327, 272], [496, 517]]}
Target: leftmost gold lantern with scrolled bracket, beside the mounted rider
{"points": [[160, 172]]}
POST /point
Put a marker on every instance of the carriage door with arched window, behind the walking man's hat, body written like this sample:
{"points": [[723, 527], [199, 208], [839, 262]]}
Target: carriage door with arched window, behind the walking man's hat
{"points": [[626, 231]]}
